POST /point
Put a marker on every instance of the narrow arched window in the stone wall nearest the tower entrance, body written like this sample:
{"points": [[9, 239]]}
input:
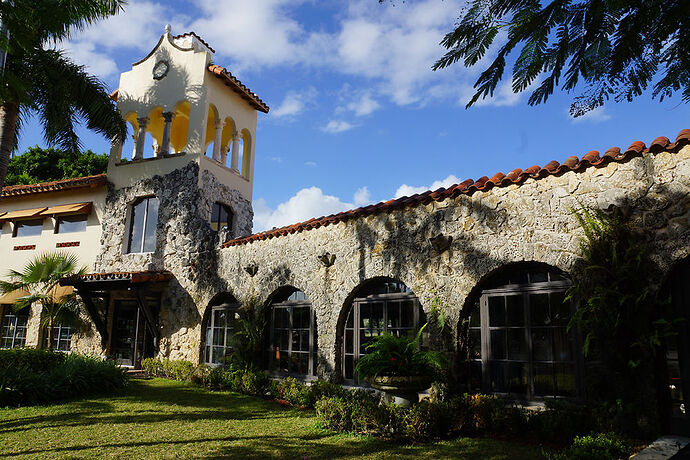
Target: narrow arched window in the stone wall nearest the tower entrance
{"points": [[219, 328]]}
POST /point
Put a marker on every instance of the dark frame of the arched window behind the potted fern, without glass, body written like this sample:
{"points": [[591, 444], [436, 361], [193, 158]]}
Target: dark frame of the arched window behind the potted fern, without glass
{"points": [[355, 310]]}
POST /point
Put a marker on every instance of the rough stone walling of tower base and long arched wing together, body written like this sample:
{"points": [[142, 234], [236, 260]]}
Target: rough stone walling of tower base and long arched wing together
{"points": [[531, 221]]}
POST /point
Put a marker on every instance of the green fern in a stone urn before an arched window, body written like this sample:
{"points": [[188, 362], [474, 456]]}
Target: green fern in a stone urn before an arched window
{"points": [[398, 366]]}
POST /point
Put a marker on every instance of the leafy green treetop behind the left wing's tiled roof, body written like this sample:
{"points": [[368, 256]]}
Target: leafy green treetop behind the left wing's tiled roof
{"points": [[43, 165]]}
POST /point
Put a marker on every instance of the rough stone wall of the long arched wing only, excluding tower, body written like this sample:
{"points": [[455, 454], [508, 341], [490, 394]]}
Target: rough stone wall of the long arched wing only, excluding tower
{"points": [[527, 222]]}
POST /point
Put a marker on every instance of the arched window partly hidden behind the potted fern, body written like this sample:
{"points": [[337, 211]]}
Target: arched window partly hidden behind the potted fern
{"points": [[380, 305]]}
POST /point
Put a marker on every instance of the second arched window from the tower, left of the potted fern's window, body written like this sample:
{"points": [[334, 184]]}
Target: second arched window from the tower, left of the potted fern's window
{"points": [[293, 336]]}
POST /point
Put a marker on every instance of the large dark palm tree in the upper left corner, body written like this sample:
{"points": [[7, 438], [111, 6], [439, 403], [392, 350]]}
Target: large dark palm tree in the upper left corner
{"points": [[37, 78]]}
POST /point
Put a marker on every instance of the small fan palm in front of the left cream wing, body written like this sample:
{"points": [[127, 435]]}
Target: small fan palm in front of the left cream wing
{"points": [[40, 280]]}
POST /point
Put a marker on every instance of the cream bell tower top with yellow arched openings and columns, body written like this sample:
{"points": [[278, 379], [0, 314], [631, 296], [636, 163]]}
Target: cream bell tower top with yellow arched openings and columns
{"points": [[181, 108]]}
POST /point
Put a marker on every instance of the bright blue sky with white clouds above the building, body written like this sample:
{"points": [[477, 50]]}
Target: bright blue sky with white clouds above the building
{"points": [[357, 116]]}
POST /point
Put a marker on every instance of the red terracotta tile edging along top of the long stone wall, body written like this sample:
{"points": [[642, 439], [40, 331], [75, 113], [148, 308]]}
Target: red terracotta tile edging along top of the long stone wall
{"points": [[469, 186]]}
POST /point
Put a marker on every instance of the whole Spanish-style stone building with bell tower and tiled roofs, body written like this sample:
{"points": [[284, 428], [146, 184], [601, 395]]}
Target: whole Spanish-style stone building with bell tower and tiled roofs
{"points": [[166, 235]]}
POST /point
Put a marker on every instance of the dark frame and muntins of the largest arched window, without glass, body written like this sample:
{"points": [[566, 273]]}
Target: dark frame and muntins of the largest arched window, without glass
{"points": [[525, 290]]}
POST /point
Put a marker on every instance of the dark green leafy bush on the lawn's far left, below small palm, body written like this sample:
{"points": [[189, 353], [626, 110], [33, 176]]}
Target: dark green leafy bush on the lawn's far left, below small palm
{"points": [[74, 376]]}
